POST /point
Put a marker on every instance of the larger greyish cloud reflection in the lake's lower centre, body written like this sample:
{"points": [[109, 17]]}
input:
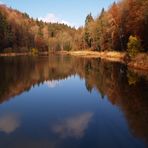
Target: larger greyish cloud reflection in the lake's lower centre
{"points": [[73, 126]]}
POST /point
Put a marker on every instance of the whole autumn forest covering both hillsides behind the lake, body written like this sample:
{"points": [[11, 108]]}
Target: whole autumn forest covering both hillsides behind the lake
{"points": [[123, 27]]}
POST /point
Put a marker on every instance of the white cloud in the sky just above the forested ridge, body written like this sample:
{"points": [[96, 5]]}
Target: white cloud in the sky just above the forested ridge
{"points": [[52, 18]]}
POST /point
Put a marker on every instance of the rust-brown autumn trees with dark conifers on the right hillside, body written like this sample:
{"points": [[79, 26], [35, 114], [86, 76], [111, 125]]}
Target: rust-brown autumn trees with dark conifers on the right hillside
{"points": [[123, 25]]}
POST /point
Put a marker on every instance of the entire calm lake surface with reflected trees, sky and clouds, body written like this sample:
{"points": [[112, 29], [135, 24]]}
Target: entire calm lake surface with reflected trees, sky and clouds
{"points": [[67, 102]]}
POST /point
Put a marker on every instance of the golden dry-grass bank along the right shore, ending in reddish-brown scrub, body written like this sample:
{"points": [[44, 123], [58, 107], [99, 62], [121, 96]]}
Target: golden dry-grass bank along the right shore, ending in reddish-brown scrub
{"points": [[139, 62]]}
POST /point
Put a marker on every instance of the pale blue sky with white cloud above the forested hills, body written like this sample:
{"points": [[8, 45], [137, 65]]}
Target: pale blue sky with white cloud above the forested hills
{"points": [[72, 12]]}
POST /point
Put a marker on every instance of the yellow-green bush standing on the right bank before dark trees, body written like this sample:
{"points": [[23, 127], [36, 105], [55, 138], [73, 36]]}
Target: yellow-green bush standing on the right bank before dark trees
{"points": [[134, 46]]}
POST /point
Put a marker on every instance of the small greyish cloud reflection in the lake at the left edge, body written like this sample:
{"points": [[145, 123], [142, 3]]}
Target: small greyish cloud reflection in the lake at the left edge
{"points": [[9, 123]]}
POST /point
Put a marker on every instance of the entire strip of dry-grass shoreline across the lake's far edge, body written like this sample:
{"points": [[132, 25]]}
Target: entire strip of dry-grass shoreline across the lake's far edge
{"points": [[139, 62]]}
